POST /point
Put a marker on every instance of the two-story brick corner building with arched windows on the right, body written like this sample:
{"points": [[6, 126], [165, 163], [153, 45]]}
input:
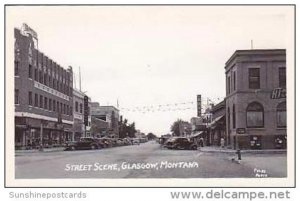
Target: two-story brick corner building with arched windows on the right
{"points": [[255, 99]]}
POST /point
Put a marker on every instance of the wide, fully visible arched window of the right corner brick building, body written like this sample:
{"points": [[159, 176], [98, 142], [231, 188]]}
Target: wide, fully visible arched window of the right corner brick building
{"points": [[255, 115]]}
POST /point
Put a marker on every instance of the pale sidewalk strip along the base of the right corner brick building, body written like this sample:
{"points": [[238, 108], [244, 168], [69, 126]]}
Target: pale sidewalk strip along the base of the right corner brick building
{"points": [[215, 149]]}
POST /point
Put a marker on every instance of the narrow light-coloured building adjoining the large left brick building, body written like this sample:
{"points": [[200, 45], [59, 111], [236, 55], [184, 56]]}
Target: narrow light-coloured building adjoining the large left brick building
{"points": [[79, 128]]}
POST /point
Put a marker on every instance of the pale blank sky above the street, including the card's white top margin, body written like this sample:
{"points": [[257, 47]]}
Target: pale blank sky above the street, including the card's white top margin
{"points": [[152, 61]]}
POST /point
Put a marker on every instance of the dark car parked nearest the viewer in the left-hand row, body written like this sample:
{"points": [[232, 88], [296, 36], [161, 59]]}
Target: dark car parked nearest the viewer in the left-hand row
{"points": [[83, 143]]}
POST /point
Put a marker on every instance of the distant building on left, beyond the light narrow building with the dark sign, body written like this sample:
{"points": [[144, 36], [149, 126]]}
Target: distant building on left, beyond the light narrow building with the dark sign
{"points": [[109, 114]]}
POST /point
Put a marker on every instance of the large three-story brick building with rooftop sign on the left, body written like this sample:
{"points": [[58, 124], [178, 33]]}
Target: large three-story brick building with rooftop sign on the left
{"points": [[43, 94]]}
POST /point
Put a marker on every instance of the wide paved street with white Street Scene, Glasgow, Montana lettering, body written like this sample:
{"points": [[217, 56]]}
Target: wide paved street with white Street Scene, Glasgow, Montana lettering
{"points": [[146, 160]]}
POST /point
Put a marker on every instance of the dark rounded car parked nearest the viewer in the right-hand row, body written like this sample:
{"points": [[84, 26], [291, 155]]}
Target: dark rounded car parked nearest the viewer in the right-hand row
{"points": [[180, 143]]}
